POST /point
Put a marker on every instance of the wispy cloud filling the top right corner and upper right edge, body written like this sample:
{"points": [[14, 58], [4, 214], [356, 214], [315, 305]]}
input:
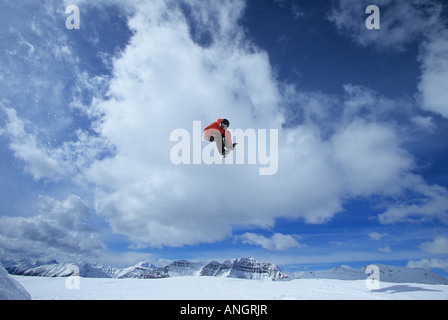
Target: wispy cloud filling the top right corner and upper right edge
{"points": [[402, 23]]}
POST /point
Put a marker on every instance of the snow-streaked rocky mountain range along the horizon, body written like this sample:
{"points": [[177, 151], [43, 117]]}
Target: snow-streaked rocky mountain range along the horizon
{"points": [[243, 268]]}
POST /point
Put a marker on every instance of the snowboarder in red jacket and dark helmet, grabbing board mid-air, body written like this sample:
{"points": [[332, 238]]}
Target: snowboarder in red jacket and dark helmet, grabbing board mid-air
{"points": [[217, 132]]}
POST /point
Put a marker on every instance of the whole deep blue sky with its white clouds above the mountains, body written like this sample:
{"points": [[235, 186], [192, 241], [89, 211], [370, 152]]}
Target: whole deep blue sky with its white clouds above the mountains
{"points": [[86, 116]]}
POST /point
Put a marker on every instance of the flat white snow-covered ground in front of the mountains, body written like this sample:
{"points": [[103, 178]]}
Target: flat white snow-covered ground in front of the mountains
{"points": [[212, 288]]}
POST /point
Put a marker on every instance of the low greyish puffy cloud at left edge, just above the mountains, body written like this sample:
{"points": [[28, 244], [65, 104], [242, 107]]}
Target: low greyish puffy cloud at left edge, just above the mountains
{"points": [[59, 230]]}
